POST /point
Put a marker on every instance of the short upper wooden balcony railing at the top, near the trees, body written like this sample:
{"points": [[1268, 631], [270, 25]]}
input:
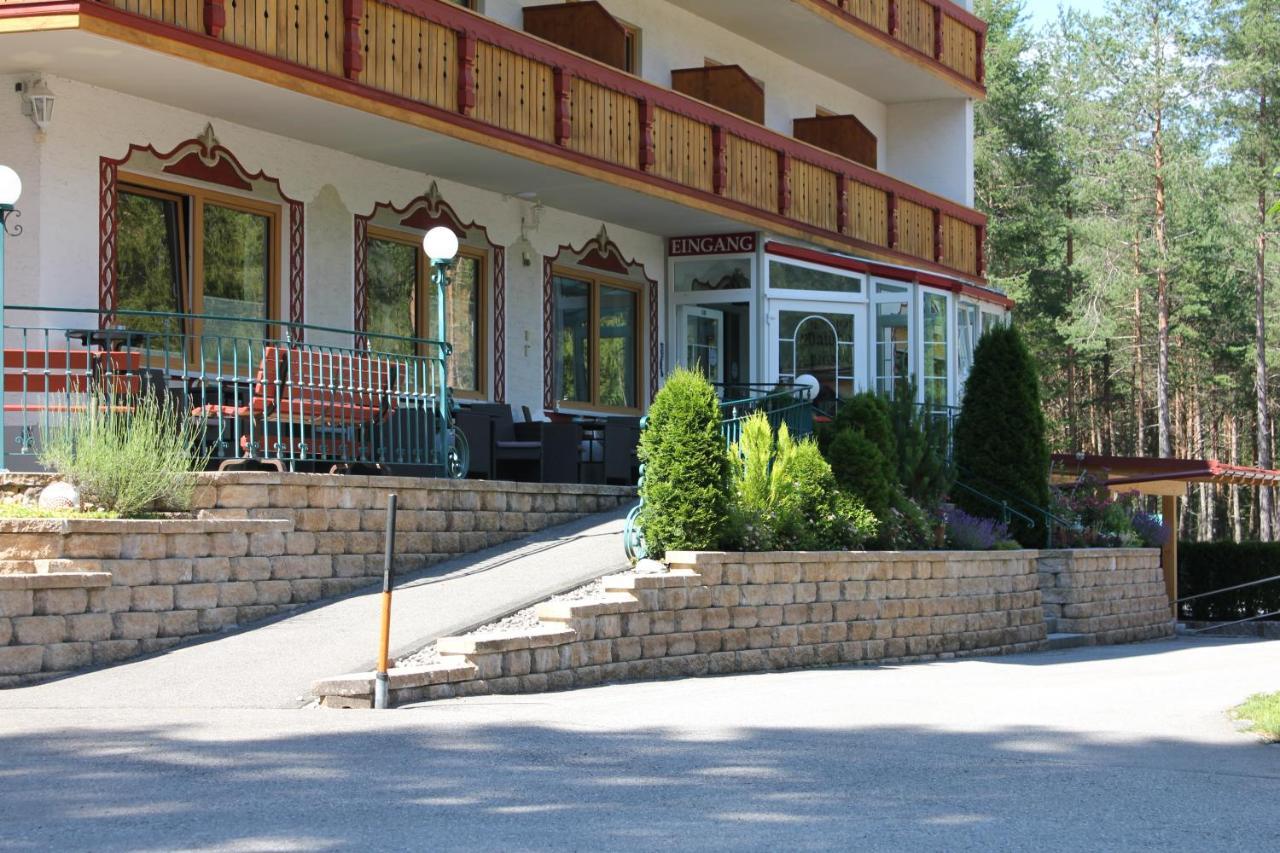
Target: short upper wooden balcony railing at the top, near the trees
{"points": [[940, 30]]}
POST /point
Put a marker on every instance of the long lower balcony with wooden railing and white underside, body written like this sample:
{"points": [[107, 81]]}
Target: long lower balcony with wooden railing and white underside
{"points": [[508, 103]]}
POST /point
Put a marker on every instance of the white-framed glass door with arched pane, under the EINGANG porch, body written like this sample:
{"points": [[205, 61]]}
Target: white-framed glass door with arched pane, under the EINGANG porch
{"points": [[822, 341]]}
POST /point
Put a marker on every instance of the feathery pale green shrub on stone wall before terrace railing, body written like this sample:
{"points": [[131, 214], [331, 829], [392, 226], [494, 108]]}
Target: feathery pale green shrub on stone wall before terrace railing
{"points": [[129, 454]]}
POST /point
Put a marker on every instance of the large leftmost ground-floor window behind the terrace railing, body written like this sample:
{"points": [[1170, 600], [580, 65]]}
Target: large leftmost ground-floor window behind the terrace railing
{"points": [[184, 250]]}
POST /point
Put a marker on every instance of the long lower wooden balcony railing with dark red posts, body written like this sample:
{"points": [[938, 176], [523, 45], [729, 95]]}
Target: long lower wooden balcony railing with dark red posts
{"points": [[455, 62]]}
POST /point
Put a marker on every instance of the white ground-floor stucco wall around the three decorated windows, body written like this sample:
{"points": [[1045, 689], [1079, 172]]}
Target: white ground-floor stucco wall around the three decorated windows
{"points": [[57, 259]]}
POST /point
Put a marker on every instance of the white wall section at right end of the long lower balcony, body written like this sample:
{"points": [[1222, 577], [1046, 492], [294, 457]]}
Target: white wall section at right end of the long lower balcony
{"points": [[930, 144]]}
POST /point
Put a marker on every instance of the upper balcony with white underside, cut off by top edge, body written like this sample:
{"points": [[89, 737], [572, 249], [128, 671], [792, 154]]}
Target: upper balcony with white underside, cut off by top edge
{"points": [[903, 51]]}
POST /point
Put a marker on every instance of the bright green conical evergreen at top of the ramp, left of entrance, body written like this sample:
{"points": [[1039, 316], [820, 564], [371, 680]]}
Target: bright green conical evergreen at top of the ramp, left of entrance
{"points": [[685, 486]]}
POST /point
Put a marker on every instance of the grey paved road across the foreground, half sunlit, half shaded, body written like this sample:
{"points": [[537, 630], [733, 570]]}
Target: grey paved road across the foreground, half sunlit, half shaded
{"points": [[1121, 749]]}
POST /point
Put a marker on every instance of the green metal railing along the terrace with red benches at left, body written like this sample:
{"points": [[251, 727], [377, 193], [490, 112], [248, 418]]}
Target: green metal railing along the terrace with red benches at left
{"points": [[285, 395]]}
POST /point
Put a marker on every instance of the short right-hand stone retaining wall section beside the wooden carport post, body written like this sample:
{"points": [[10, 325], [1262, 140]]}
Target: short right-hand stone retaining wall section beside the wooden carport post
{"points": [[1109, 595]]}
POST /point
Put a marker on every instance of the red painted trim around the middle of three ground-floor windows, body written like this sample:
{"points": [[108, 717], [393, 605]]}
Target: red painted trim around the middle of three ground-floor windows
{"points": [[422, 215]]}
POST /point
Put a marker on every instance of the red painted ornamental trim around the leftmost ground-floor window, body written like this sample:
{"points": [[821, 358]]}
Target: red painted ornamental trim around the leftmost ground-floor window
{"points": [[202, 159]]}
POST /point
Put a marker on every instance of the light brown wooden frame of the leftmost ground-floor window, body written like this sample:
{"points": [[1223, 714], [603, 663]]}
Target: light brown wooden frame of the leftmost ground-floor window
{"points": [[193, 238]]}
